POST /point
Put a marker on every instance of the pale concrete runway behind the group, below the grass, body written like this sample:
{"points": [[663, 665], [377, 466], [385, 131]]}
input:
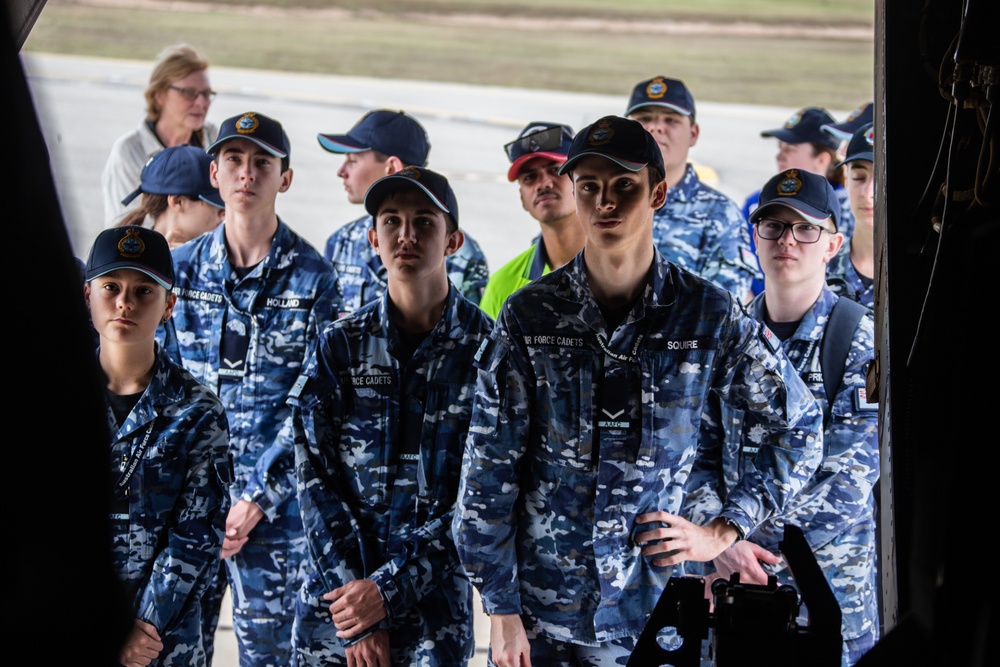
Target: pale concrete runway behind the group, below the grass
{"points": [[84, 104]]}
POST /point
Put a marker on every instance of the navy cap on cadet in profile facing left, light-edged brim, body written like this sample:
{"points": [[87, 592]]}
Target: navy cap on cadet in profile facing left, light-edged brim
{"points": [[389, 132]]}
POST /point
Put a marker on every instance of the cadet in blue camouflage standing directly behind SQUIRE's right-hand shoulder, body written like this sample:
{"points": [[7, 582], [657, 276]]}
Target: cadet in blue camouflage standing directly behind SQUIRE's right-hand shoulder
{"points": [[698, 227]]}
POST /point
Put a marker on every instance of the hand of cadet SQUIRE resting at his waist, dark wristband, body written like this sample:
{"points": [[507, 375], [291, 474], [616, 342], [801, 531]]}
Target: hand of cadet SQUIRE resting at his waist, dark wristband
{"points": [[682, 540]]}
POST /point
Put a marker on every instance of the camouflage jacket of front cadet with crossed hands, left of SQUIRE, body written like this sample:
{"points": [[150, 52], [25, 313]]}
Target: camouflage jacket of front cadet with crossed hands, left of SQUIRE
{"points": [[378, 449]]}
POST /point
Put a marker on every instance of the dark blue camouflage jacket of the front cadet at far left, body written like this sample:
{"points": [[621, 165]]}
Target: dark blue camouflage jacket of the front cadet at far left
{"points": [[169, 481]]}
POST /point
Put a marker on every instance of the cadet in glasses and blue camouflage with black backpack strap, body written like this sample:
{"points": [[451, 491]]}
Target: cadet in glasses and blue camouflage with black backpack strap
{"points": [[795, 226]]}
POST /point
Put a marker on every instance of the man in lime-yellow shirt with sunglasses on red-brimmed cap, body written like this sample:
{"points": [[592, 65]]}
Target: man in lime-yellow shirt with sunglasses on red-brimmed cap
{"points": [[535, 157]]}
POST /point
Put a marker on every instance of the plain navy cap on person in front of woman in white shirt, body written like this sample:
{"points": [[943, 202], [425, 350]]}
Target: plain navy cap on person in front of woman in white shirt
{"points": [[178, 170]]}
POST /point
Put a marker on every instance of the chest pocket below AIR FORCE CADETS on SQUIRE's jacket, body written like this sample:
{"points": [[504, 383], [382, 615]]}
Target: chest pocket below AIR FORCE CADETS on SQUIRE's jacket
{"points": [[564, 402]]}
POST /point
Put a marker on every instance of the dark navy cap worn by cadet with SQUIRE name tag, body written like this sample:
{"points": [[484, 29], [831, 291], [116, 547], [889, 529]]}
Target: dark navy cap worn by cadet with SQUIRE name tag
{"points": [[621, 140]]}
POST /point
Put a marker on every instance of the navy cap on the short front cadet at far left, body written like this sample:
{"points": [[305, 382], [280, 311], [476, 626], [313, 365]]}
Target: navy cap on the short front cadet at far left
{"points": [[131, 247]]}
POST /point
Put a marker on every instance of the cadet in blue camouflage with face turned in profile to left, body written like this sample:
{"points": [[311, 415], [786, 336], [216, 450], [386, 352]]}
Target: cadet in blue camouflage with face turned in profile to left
{"points": [[381, 143]]}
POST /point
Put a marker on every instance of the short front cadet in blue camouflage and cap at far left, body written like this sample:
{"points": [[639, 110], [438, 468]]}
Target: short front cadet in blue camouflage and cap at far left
{"points": [[169, 452]]}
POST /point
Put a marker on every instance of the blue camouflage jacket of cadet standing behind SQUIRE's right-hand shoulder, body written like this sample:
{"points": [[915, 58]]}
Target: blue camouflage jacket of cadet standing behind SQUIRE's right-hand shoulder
{"points": [[702, 230]]}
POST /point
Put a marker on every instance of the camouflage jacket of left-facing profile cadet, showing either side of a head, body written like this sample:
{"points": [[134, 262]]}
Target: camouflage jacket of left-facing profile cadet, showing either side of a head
{"points": [[363, 278]]}
